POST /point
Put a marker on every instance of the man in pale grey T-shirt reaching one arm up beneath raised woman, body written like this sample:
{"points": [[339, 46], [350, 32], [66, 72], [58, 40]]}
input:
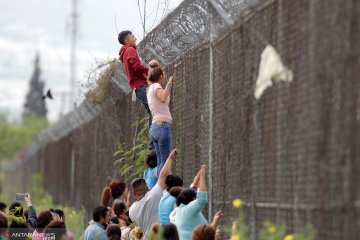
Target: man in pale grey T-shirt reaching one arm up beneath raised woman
{"points": [[145, 210]]}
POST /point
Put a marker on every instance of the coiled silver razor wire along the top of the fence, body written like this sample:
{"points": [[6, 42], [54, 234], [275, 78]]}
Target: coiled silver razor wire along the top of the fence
{"points": [[188, 26]]}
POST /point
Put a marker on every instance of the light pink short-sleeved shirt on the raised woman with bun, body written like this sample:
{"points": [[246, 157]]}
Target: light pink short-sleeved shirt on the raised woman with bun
{"points": [[159, 110]]}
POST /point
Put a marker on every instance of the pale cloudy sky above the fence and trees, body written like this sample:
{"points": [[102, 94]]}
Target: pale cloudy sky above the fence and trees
{"points": [[43, 26]]}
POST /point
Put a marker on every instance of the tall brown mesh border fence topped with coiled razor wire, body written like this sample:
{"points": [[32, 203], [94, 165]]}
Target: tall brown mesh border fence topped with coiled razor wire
{"points": [[292, 156]]}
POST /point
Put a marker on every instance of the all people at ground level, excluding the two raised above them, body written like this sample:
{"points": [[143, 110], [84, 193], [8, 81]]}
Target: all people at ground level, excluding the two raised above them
{"points": [[168, 211]]}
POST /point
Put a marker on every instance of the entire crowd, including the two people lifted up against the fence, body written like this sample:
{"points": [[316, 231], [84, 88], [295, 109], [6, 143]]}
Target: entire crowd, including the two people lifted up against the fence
{"points": [[162, 207]]}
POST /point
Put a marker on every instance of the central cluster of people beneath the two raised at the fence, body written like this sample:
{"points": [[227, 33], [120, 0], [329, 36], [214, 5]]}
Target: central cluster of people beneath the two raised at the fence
{"points": [[168, 210]]}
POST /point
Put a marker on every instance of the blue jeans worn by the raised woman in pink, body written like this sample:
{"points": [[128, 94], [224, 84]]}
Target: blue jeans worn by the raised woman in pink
{"points": [[161, 136]]}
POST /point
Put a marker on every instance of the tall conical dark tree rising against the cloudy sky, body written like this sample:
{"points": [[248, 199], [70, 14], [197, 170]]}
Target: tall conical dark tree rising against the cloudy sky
{"points": [[34, 104]]}
